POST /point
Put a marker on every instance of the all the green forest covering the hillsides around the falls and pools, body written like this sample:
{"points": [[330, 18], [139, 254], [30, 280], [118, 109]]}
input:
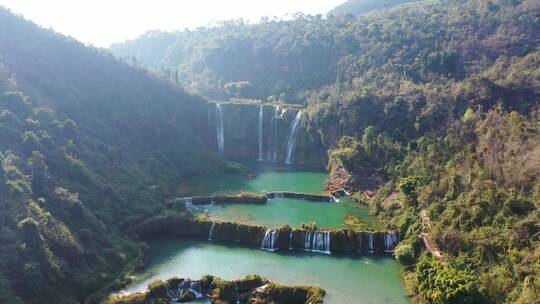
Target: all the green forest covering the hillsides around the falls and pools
{"points": [[435, 103]]}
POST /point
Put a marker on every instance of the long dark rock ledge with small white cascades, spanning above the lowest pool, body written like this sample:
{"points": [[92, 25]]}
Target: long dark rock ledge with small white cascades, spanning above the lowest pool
{"points": [[283, 238]]}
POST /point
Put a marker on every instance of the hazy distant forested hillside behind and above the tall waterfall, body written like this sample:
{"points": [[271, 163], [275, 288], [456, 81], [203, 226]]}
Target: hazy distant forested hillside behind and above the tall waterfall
{"points": [[435, 41]]}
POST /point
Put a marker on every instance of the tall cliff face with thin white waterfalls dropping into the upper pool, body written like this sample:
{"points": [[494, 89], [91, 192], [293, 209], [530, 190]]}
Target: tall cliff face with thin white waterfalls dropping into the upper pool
{"points": [[248, 132]]}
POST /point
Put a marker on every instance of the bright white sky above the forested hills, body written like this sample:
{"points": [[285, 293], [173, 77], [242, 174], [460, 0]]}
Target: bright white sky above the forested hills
{"points": [[102, 22]]}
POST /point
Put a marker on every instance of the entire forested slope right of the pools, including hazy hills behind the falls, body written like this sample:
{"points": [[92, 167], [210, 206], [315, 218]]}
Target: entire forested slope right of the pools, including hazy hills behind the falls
{"points": [[436, 103]]}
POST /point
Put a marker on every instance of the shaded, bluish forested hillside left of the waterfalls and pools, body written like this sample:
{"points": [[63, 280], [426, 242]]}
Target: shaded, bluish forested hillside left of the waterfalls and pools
{"points": [[88, 145]]}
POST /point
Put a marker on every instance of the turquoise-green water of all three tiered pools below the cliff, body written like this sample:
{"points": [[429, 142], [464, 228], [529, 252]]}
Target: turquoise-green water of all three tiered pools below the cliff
{"points": [[347, 279]]}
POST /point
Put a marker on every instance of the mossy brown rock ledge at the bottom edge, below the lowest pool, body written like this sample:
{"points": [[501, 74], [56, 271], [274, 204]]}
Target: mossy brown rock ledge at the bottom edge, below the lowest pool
{"points": [[251, 289]]}
